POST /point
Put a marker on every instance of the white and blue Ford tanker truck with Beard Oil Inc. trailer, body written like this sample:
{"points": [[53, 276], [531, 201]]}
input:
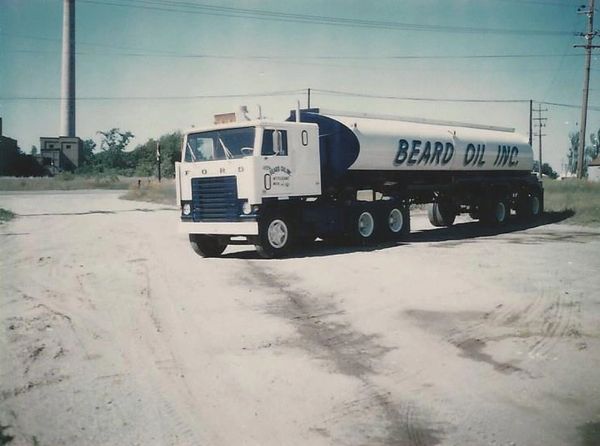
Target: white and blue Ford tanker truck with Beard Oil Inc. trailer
{"points": [[346, 177]]}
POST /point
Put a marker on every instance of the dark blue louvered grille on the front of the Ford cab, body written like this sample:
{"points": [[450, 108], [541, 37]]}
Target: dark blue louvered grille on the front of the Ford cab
{"points": [[215, 199]]}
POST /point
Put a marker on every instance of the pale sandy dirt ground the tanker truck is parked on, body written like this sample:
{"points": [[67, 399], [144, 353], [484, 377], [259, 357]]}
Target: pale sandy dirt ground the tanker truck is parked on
{"points": [[115, 332]]}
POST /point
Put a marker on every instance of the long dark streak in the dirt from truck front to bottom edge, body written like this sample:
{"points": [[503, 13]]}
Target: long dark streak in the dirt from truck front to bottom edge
{"points": [[352, 353]]}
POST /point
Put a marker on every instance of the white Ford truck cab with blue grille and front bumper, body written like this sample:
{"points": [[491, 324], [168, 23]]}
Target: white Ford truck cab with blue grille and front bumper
{"points": [[227, 171]]}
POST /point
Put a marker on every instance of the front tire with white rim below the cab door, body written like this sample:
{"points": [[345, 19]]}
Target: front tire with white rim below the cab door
{"points": [[275, 235]]}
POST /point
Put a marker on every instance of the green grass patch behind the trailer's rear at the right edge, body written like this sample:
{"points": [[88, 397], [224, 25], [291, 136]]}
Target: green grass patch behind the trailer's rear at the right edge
{"points": [[580, 197]]}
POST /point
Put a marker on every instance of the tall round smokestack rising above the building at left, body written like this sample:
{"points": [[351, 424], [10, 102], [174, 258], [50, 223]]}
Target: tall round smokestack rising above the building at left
{"points": [[67, 106]]}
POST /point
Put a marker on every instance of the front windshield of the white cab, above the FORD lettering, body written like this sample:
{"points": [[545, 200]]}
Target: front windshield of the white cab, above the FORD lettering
{"points": [[219, 144]]}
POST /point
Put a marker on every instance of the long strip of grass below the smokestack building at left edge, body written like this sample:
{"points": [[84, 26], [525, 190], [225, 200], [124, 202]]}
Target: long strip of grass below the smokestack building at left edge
{"points": [[65, 181]]}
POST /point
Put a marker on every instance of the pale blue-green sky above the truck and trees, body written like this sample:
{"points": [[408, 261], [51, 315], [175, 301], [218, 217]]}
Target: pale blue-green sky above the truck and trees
{"points": [[152, 67]]}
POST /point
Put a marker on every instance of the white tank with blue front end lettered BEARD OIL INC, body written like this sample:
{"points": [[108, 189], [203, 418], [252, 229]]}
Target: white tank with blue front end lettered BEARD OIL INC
{"points": [[389, 146]]}
